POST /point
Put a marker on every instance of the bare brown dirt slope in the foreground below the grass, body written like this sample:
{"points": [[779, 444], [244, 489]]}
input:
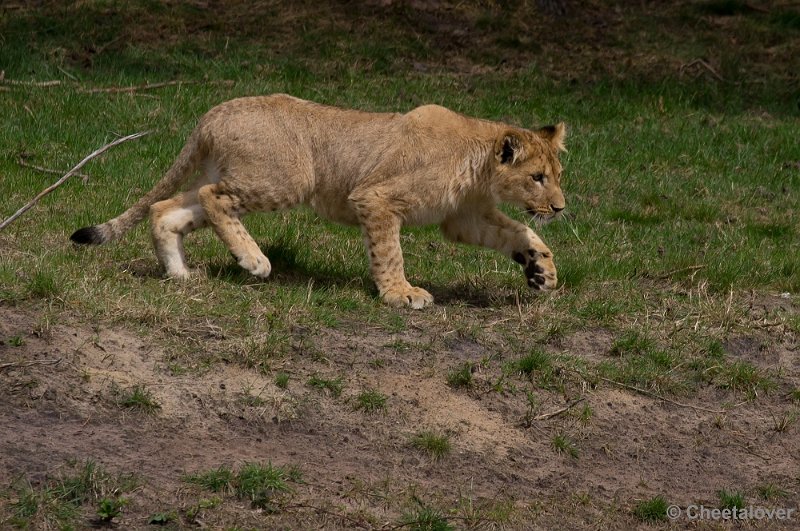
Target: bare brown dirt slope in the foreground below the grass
{"points": [[57, 403]]}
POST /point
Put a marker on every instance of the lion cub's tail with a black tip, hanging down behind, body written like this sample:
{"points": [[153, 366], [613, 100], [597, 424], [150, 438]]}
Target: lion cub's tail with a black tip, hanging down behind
{"points": [[184, 166]]}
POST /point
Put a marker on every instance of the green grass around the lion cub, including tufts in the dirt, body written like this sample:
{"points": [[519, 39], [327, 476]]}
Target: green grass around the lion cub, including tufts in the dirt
{"points": [[682, 202]]}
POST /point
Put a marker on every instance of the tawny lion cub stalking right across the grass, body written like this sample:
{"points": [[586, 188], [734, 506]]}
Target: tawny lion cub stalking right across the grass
{"points": [[377, 170]]}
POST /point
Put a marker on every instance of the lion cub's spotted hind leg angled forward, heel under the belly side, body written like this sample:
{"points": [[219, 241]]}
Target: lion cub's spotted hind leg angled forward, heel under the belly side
{"points": [[223, 210]]}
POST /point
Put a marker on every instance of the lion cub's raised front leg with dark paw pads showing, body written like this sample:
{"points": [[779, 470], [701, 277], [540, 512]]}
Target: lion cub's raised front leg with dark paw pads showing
{"points": [[495, 230]]}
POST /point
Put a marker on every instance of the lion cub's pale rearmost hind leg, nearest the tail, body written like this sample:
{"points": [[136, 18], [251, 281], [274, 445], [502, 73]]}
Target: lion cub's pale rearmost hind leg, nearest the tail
{"points": [[170, 221]]}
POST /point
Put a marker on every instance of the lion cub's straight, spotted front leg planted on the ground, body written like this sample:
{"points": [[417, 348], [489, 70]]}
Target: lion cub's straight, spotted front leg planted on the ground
{"points": [[382, 238]]}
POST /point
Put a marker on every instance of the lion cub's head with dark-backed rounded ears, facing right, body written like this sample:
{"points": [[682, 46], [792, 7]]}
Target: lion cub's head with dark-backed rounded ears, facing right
{"points": [[528, 172]]}
